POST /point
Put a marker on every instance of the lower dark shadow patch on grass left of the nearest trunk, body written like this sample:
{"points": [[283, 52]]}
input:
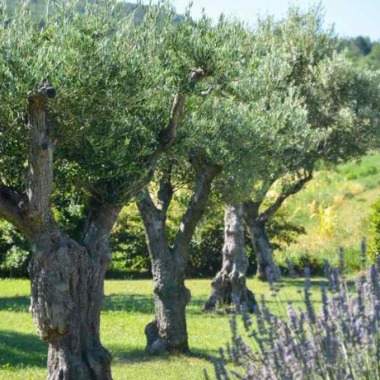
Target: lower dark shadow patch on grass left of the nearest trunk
{"points": [[18, 349]]}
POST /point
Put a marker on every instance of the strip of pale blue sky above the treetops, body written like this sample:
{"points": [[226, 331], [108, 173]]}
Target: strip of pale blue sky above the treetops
{"points": [[350, 17]]}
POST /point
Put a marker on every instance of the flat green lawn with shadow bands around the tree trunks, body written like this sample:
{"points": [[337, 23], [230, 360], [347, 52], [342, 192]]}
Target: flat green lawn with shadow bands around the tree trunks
{"points": [[128, 308]]}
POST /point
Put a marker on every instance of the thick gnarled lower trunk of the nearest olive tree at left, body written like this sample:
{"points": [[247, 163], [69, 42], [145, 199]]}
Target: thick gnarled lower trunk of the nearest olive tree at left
{"points": [[67, 296]]}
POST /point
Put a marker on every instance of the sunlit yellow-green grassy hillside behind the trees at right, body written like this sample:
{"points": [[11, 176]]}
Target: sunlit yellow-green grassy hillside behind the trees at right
{"points": [[334, 208]]}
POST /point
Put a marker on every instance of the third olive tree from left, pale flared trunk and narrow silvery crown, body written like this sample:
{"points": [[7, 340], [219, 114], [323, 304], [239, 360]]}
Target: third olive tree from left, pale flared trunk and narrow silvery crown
{"points": [[279, 116]]}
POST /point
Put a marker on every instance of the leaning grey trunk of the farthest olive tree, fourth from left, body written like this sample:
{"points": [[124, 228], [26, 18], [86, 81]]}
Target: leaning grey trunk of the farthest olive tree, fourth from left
{"points": [[260, 242]]}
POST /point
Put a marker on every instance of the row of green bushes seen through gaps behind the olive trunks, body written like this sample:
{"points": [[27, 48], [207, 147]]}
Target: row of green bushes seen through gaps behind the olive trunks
{"points": [[130, 252]]}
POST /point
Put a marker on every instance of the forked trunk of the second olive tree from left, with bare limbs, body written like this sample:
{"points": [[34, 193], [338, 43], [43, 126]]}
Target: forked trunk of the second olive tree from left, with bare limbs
{"points": [[168, 331]]}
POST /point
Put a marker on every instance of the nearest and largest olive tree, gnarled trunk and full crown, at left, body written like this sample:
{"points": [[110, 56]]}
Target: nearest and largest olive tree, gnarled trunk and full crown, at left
{"points": [[98, 91]]}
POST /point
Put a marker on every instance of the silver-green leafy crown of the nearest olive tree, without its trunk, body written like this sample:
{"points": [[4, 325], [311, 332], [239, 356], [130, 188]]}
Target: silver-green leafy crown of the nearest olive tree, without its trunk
{"points": [[115, 80]]}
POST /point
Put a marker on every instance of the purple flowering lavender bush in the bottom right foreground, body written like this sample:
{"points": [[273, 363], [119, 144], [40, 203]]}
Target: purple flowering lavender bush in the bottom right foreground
{"points": [[340, 341]]}
